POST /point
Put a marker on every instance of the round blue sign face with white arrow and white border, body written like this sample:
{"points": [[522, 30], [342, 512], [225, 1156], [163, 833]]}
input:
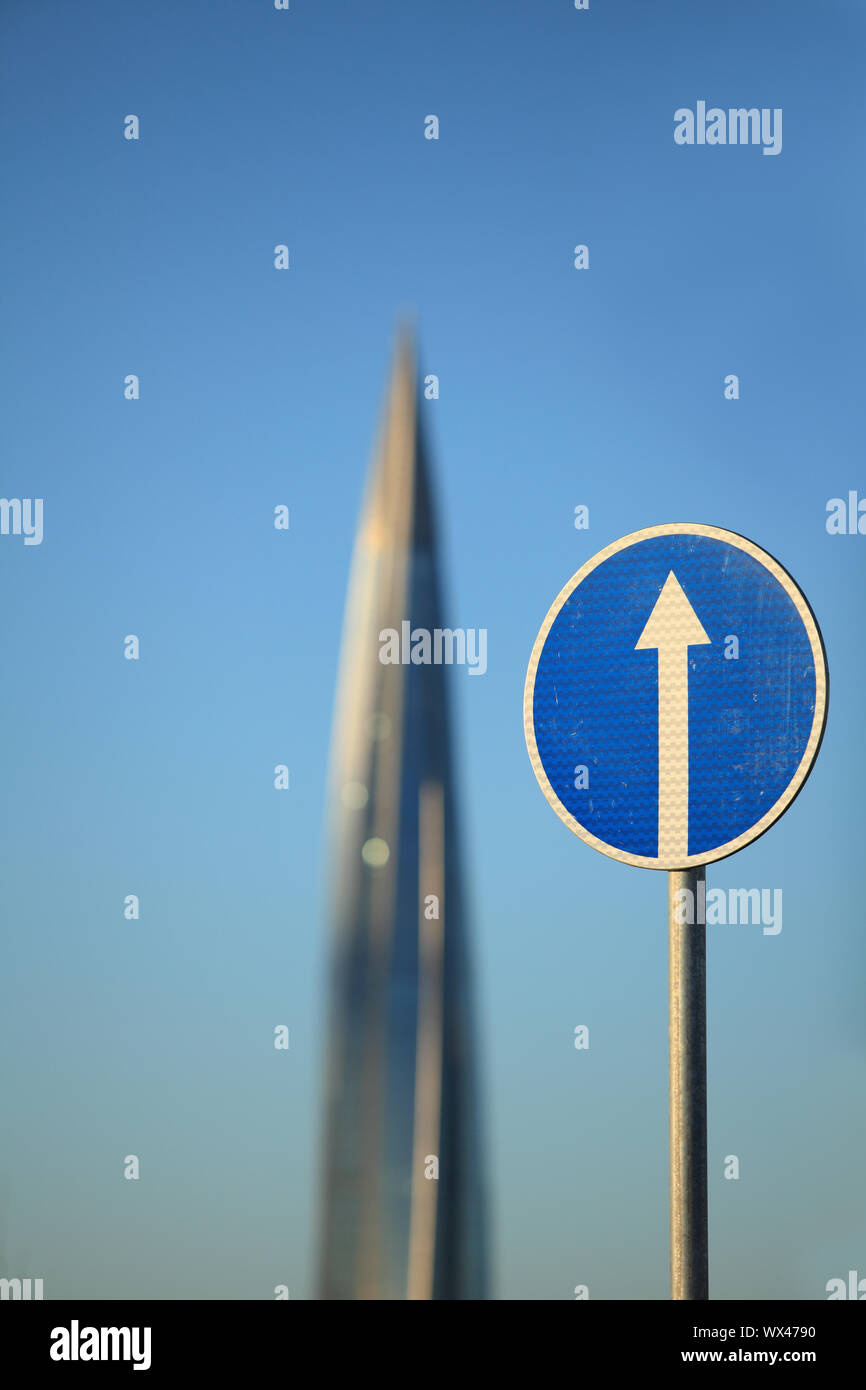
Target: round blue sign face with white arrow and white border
{"points": [[676, 697]]}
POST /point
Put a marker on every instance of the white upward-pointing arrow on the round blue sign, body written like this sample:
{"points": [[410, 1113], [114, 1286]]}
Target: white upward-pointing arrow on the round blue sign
{"points": [[673, 628]]}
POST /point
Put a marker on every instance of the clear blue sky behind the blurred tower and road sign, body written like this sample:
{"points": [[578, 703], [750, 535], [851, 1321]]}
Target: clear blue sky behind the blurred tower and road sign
{"points": [[603, 387]]}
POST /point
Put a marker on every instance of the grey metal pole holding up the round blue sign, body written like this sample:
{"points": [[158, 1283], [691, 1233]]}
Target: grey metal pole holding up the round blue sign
{"points": [[687, 1054]]}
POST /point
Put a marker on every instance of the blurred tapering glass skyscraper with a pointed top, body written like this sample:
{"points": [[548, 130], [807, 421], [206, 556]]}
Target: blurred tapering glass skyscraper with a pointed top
{"points": [[404, 1202]]}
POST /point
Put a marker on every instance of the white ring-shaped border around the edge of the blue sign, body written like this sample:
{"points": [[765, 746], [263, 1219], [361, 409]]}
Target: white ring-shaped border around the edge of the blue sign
{"points": [[821, 694]]}
